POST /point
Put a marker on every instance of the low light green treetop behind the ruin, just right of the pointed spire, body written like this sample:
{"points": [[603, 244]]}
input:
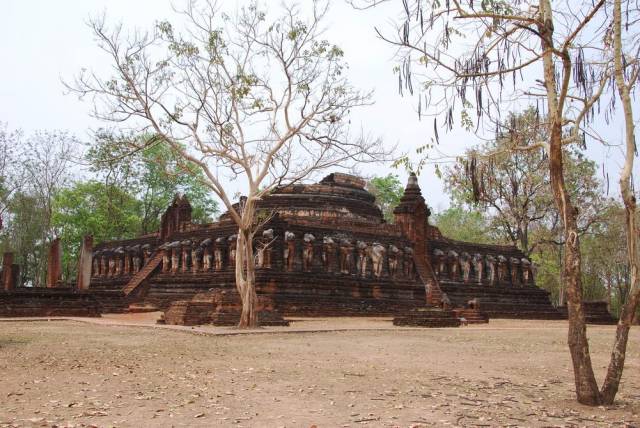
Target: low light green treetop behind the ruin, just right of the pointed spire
{"points": [[461, 224]]}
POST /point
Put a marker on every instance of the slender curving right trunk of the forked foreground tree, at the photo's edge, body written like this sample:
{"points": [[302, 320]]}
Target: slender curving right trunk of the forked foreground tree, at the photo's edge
{"points": [[618, 354]]}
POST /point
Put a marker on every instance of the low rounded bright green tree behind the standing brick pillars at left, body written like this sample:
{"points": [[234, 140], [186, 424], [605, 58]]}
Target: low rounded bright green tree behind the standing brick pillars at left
{"points": [[106, 212]]}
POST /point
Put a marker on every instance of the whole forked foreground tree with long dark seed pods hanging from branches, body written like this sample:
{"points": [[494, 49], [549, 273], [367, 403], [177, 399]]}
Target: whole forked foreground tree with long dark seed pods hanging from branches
{"points": [[491, 54]]}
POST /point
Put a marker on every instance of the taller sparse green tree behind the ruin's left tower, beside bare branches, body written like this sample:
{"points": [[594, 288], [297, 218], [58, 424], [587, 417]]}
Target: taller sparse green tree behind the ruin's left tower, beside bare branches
{"points": [[153, 175]]}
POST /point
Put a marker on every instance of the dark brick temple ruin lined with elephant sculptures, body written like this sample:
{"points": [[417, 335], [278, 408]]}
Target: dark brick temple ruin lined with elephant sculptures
{"points": [[325, 251]]}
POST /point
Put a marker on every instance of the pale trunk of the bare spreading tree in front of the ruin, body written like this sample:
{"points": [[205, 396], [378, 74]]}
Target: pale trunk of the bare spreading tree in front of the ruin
{"points": [[246, 279]]}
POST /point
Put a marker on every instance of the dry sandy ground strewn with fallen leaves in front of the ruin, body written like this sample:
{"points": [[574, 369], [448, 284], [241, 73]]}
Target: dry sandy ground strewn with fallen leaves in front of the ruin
{"points": [[506, 373]]}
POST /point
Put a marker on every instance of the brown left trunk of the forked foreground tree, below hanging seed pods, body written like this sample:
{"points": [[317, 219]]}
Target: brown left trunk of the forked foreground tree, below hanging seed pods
{"points": [[586, 385]]}
